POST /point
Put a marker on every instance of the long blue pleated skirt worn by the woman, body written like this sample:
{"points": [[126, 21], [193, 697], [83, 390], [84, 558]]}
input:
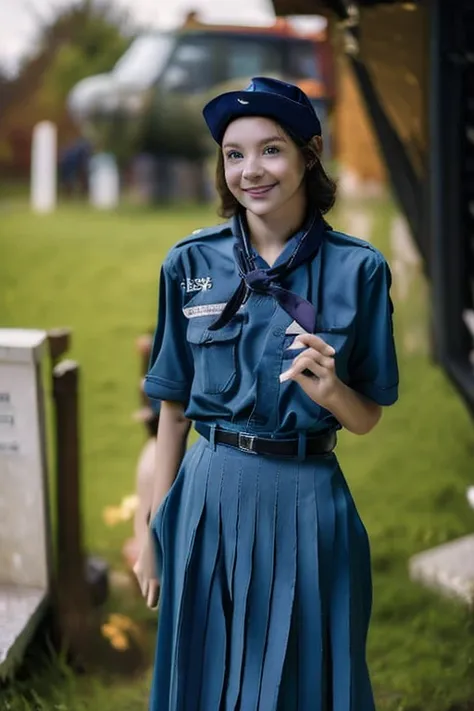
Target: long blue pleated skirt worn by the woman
{"points": [[265, 587]]}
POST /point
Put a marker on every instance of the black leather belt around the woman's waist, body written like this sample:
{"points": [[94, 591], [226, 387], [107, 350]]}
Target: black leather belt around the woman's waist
{"points": [[315, 445]]}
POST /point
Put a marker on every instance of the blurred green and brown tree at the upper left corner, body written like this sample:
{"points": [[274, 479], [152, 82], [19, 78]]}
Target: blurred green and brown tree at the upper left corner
{"points": [[86, 38]]}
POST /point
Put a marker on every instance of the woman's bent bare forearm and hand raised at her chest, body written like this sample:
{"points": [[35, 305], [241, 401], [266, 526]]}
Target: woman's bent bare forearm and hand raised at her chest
{"points": [[315, 371]]}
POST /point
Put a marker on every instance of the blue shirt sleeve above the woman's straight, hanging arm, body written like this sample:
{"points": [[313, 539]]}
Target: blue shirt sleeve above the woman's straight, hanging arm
{"points": [[170, 372]]}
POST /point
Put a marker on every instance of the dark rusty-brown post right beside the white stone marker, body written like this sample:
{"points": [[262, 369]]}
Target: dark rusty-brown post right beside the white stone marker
{"points": [[72, 594]]}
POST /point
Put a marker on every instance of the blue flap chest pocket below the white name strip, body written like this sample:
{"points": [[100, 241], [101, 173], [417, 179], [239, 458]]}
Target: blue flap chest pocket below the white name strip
{"points": [[214, 353]]}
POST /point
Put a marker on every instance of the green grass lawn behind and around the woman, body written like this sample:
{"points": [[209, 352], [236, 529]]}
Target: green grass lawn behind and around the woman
{"points": [[97, 273]]}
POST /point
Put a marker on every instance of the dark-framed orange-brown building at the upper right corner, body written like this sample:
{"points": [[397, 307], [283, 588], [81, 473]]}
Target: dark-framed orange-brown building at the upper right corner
{"points": [[413, 63]]}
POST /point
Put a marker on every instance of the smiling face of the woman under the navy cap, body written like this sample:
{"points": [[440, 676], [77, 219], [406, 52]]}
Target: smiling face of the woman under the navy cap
{"points": [[264, 169]]}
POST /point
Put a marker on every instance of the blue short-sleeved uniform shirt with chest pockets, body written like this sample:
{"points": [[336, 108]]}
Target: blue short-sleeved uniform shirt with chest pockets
{"points": [[230, 377]]}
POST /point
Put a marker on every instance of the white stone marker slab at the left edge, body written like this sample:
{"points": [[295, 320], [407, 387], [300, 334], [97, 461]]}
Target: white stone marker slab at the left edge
{"points": [[24, 513]]}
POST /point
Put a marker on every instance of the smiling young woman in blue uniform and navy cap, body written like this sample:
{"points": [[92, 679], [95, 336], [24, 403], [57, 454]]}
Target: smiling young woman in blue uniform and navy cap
{"points": [[274, 331]]}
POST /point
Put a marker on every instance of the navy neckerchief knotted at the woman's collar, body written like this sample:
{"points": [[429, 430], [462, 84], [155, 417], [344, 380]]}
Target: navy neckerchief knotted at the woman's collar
{"points": [[267, 281]]}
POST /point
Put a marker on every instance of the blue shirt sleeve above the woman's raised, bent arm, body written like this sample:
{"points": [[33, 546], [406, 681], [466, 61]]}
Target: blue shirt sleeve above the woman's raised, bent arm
{"points": [[373, 368]]}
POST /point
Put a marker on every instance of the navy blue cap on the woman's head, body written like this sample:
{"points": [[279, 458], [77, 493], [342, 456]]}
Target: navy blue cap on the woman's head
{"points": [[284, 103]]}
